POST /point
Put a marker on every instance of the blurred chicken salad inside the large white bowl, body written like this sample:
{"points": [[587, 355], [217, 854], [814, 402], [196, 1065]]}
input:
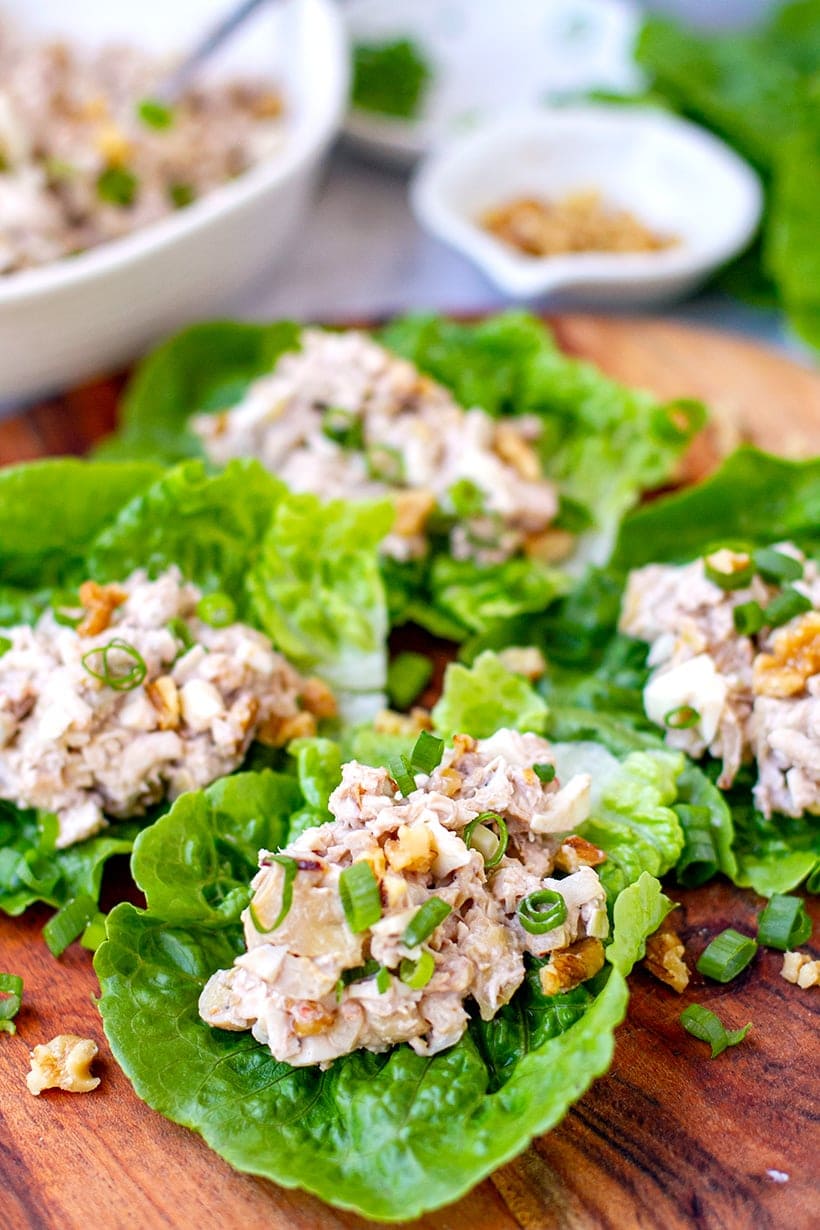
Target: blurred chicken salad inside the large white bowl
{"points": [[88, 154]]}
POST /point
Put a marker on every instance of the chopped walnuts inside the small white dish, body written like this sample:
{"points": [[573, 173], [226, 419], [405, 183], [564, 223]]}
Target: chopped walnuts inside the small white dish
{"points": [[581, 222]]}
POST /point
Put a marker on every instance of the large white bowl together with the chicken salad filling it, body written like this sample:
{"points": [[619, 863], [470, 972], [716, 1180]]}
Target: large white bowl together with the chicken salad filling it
{"points": [[124, 213]]}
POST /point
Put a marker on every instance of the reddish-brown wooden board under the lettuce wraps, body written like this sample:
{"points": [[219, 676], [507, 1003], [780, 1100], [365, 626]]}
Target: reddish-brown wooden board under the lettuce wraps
{"points": [[667, 1140]]}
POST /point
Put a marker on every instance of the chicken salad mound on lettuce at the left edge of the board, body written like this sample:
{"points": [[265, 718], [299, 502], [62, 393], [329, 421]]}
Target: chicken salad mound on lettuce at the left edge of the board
{"points": [[147, 691]]}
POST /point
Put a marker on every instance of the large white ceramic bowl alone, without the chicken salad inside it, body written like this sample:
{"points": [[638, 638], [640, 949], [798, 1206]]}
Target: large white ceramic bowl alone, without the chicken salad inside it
{"points": [[83, 317]]}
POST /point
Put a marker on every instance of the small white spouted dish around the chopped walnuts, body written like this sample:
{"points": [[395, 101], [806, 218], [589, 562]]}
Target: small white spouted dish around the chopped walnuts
{"points": [[672, 175]]}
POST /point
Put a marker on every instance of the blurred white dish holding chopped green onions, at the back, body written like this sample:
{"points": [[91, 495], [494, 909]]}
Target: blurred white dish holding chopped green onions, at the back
{"points": [[490, 57]]}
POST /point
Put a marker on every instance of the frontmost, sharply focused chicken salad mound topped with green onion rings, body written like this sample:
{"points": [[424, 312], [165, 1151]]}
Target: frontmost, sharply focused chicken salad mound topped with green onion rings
{"points": [[425, 892]]}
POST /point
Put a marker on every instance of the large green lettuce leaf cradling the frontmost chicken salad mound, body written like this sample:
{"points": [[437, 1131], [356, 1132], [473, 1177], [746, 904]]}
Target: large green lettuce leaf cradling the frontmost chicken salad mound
{"points": [[388, 1136]]}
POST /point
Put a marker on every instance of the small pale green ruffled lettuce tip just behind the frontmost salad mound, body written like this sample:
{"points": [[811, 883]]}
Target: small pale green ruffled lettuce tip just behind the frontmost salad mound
{"points": [[481, 699]]}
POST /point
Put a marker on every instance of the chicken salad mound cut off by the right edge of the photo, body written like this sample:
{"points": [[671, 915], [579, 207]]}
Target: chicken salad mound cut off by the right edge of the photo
{"points": [[736, 665]]}
